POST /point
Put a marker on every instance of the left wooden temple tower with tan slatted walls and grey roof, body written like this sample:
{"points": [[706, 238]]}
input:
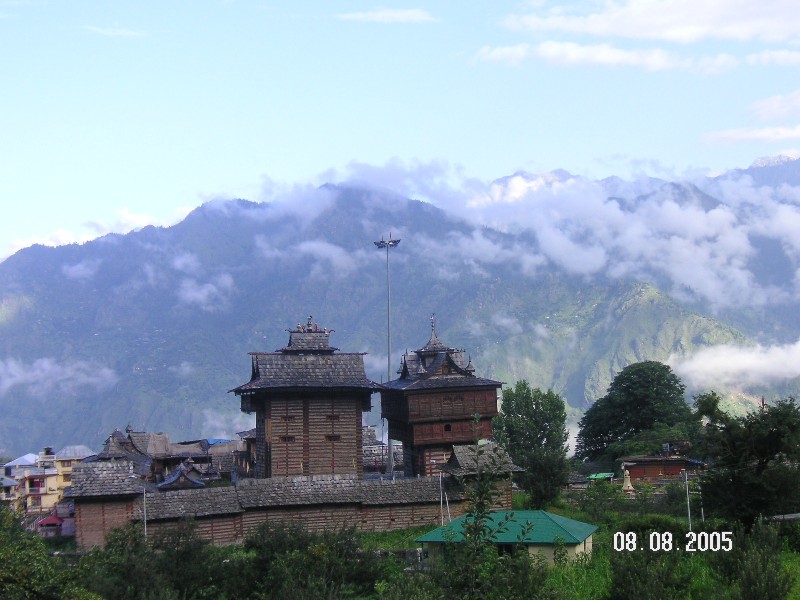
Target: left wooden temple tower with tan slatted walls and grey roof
{"points": [[308, 400]]}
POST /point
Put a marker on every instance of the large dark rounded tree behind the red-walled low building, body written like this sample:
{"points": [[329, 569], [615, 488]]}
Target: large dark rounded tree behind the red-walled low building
{"points": [[641, 396]]}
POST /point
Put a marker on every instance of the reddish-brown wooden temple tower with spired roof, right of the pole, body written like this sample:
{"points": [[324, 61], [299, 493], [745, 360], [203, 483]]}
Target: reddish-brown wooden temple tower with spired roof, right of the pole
{"points": [[435, 403]]}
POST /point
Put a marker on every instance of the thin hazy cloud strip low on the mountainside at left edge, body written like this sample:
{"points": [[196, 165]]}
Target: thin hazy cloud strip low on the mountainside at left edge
{"points": [[47, 377]]}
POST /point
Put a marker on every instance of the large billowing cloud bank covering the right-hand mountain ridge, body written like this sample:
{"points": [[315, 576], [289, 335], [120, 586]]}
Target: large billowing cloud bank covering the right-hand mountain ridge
{"points": [[693, 240]]}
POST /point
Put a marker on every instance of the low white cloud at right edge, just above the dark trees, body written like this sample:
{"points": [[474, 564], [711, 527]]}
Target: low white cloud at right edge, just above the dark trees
{"points": [[738, 367]]}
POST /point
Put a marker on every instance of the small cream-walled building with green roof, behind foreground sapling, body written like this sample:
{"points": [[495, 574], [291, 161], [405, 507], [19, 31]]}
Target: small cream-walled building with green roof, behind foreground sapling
{"points": [[537, 530]]}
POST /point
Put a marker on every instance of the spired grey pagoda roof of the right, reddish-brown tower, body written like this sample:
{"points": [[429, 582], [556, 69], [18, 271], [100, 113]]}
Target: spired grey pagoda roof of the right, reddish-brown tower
{"points": [[437, 365]]}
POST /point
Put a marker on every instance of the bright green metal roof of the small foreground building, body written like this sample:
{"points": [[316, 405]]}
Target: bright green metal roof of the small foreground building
{"points": [[513, 527]]}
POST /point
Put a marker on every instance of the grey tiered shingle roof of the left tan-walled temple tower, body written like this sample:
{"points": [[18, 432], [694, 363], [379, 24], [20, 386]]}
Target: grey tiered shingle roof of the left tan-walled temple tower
{"points": [[307, 362]]}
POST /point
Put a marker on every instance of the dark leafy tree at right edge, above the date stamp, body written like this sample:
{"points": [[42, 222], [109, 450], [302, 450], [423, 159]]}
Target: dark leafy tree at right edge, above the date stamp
{"points": [[753, 460]]}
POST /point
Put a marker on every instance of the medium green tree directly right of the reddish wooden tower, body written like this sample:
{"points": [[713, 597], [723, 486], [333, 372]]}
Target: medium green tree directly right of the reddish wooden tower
{"points": [[532, 428]]}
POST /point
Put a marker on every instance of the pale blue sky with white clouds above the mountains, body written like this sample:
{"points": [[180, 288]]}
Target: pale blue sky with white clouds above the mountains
{"points": [[118, 114]]}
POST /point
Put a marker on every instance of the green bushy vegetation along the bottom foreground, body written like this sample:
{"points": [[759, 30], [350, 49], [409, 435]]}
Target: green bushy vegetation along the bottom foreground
{"points": [[285, 561]]}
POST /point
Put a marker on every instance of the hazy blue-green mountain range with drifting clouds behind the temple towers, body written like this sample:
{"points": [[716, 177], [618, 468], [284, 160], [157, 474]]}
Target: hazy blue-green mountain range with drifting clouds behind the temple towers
{"points": [[554, 278]]}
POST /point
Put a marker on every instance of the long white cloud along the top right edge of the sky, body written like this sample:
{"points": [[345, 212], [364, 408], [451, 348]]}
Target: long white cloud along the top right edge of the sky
{"points": [[679, 21]]}
